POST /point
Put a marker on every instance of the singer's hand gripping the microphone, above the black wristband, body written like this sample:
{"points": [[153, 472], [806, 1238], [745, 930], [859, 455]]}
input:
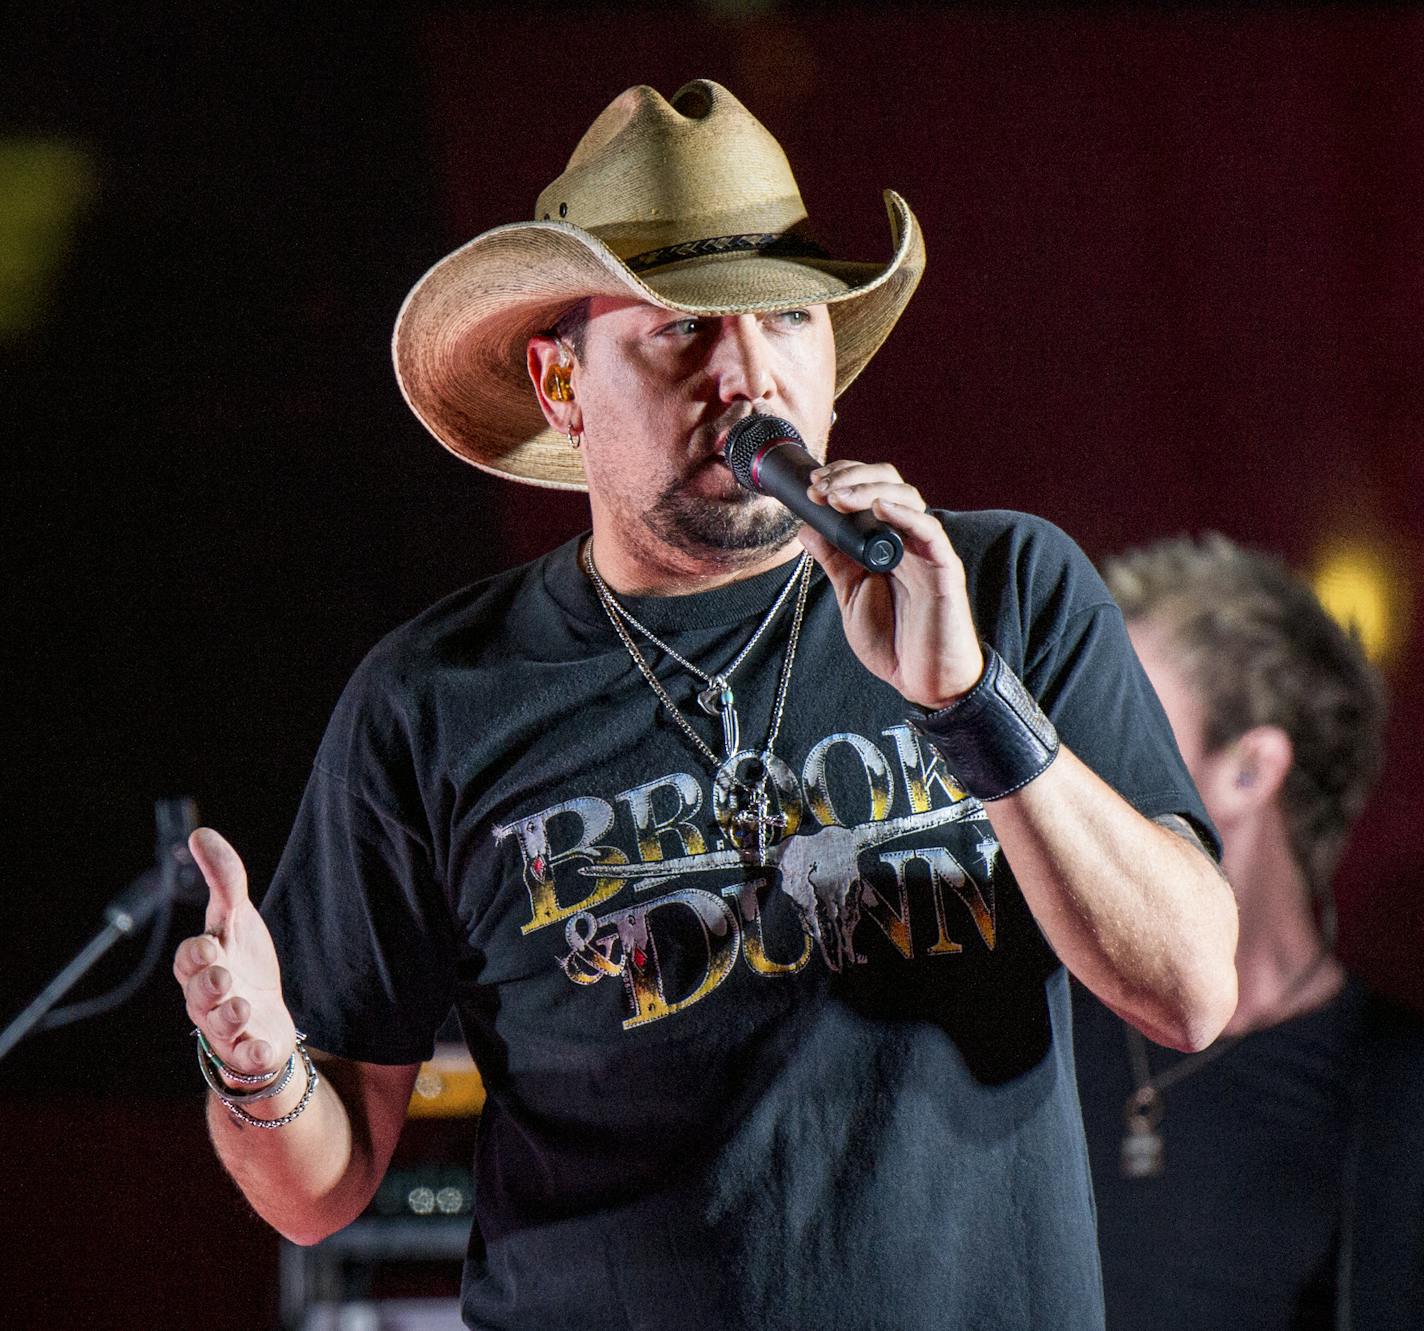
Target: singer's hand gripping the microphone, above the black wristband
{"points": [[911, 627]]}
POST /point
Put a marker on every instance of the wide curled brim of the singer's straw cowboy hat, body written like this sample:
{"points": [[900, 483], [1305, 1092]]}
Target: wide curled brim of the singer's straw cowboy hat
{"points": [[462, 334]]}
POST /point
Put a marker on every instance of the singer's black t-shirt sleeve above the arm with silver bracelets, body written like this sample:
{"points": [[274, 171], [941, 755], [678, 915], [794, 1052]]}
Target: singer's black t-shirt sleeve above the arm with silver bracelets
{"points": [[357, 907]]}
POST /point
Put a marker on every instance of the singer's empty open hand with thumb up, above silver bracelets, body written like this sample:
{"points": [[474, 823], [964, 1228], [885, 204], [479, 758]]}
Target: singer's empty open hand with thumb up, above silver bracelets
{"points": [[230, 974]]}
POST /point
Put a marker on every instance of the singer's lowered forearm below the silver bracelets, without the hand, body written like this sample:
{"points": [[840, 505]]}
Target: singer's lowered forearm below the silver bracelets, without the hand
{"points": [[311, 1177]]}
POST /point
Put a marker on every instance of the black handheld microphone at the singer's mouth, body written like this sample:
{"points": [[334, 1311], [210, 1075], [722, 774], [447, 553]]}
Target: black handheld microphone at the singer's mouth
{"points": [[767, 455]]}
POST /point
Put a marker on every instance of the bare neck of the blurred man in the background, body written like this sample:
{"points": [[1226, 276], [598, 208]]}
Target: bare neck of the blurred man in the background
{"points": [[1282, 963]]}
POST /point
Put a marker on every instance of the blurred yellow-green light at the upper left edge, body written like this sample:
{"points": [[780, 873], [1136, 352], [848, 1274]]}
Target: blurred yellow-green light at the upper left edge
{"points": [[43, 186]]}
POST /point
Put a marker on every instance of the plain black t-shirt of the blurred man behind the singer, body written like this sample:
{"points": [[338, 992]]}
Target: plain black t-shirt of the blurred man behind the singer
{"points": [[1241, 1232]]}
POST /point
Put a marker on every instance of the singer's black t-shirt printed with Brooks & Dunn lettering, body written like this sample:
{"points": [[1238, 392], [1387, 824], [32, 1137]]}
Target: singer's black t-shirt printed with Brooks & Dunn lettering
{"points": [[832, 1093]]}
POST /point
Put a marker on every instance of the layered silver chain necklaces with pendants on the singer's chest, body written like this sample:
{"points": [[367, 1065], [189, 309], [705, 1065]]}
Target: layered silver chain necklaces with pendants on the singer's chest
{"points": [[751, 801]]}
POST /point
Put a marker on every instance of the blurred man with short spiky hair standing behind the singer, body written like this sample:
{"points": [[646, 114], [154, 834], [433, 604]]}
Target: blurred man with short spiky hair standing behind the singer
{"points": [[1272, 1181]]}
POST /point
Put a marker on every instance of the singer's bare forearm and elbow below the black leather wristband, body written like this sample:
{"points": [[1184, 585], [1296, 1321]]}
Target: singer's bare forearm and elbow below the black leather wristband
{"points": [[1138, 915]]}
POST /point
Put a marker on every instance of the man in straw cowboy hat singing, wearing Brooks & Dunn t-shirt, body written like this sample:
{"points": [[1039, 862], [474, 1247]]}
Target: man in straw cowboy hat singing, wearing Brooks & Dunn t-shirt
{"points": [[754, 878]]}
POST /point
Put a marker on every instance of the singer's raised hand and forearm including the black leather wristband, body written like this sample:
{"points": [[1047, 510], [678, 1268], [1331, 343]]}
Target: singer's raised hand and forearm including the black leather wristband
{"points": [[1136, 912]]}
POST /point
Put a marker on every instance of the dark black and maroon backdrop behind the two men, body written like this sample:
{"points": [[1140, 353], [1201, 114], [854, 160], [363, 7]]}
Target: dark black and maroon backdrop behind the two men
{"points": [[1176, 284]]}
